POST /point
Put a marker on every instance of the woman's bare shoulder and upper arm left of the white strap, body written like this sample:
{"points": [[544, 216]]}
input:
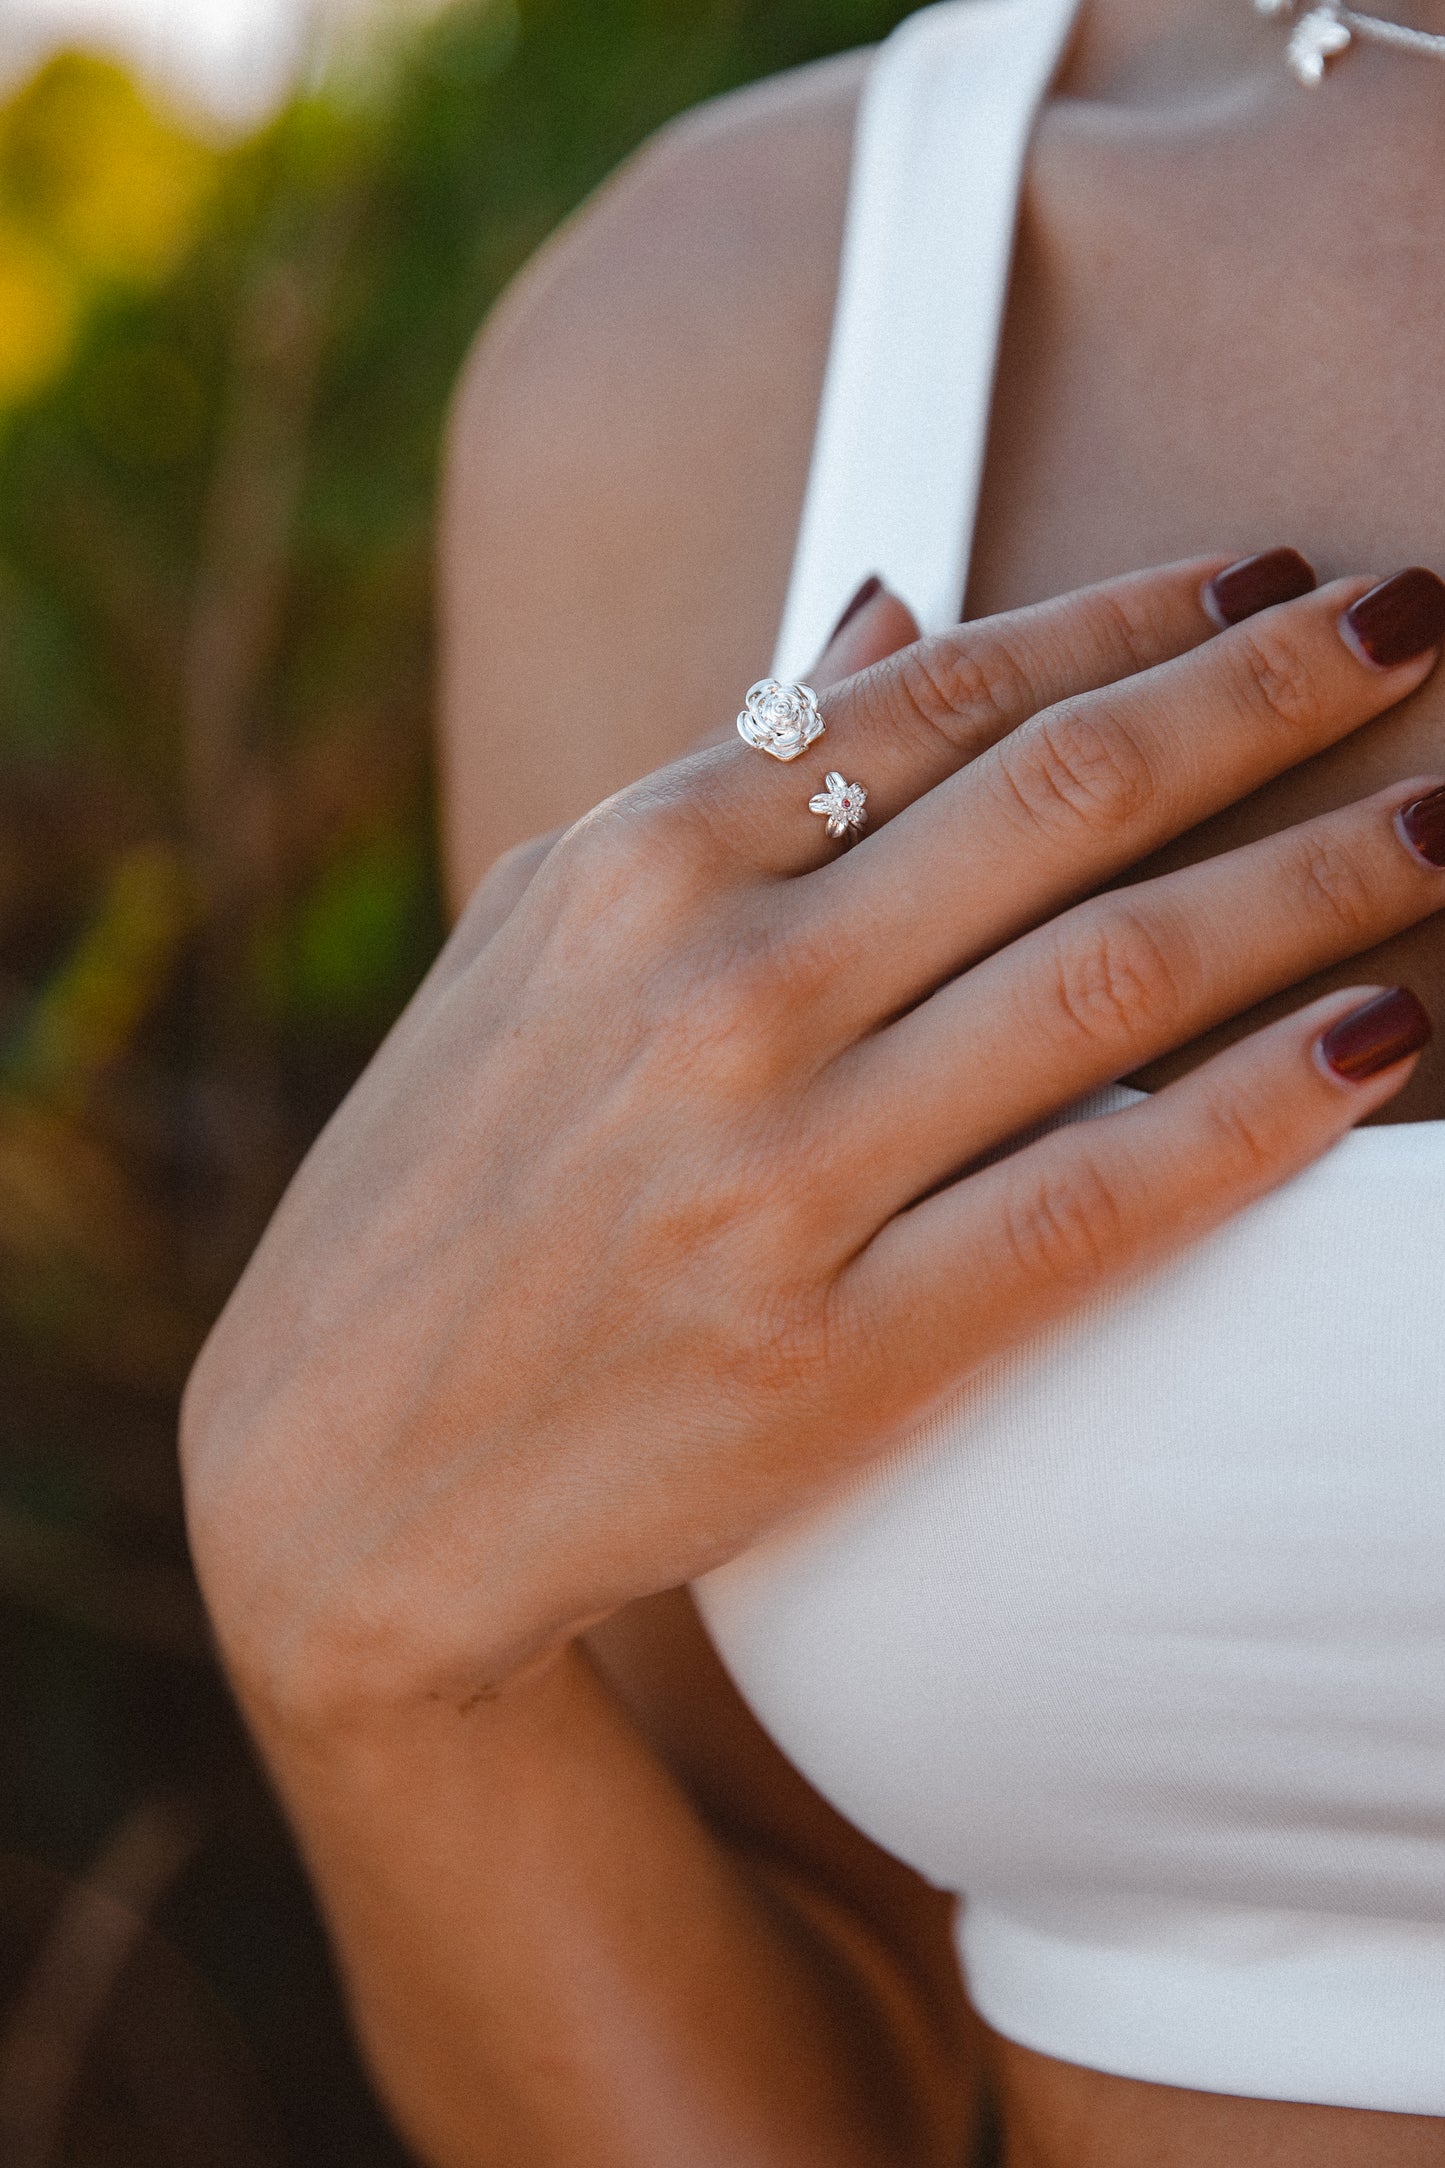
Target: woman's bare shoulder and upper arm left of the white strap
{"points": [[627, 461]]}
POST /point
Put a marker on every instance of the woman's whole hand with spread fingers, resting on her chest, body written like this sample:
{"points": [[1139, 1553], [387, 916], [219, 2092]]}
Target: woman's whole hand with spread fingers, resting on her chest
{"points": [[645, 1226]]}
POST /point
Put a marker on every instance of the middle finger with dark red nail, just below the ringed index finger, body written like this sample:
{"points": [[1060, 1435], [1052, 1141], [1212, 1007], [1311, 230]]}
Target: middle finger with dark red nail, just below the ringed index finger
{"points": [[1093, 786]]}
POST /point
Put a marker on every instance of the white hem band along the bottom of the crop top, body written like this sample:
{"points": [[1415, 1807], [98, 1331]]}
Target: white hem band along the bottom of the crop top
{"points": [[1275, 2006]]}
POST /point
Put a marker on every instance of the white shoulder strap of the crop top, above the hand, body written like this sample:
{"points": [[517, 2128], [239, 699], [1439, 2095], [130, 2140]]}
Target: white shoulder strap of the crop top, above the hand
{"points": [[943, 131]]}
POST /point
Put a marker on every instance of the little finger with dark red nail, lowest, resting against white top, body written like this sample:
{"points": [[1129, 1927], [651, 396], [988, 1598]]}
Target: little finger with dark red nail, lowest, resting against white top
{"points": [[993, 1259]]}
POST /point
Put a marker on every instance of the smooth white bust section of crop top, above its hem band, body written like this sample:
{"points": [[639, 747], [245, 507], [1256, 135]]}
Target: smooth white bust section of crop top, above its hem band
{"points": [[1154, 1605]]}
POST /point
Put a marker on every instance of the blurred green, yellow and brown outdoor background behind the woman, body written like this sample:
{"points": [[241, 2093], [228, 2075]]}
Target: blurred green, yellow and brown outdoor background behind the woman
{"points": [[244, 246]]}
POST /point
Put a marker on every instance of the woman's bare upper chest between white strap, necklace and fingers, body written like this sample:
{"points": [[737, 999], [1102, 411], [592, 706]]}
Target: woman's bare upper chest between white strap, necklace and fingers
{"points": [[1227, 337]]}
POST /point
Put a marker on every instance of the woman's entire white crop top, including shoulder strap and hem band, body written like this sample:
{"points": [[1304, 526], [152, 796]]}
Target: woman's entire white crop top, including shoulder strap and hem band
{"points": [[1141, 1640]]}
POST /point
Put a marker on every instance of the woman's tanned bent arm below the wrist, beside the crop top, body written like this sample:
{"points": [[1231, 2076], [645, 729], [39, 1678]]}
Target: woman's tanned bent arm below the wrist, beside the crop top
{"points": [[556, 1961]]}
